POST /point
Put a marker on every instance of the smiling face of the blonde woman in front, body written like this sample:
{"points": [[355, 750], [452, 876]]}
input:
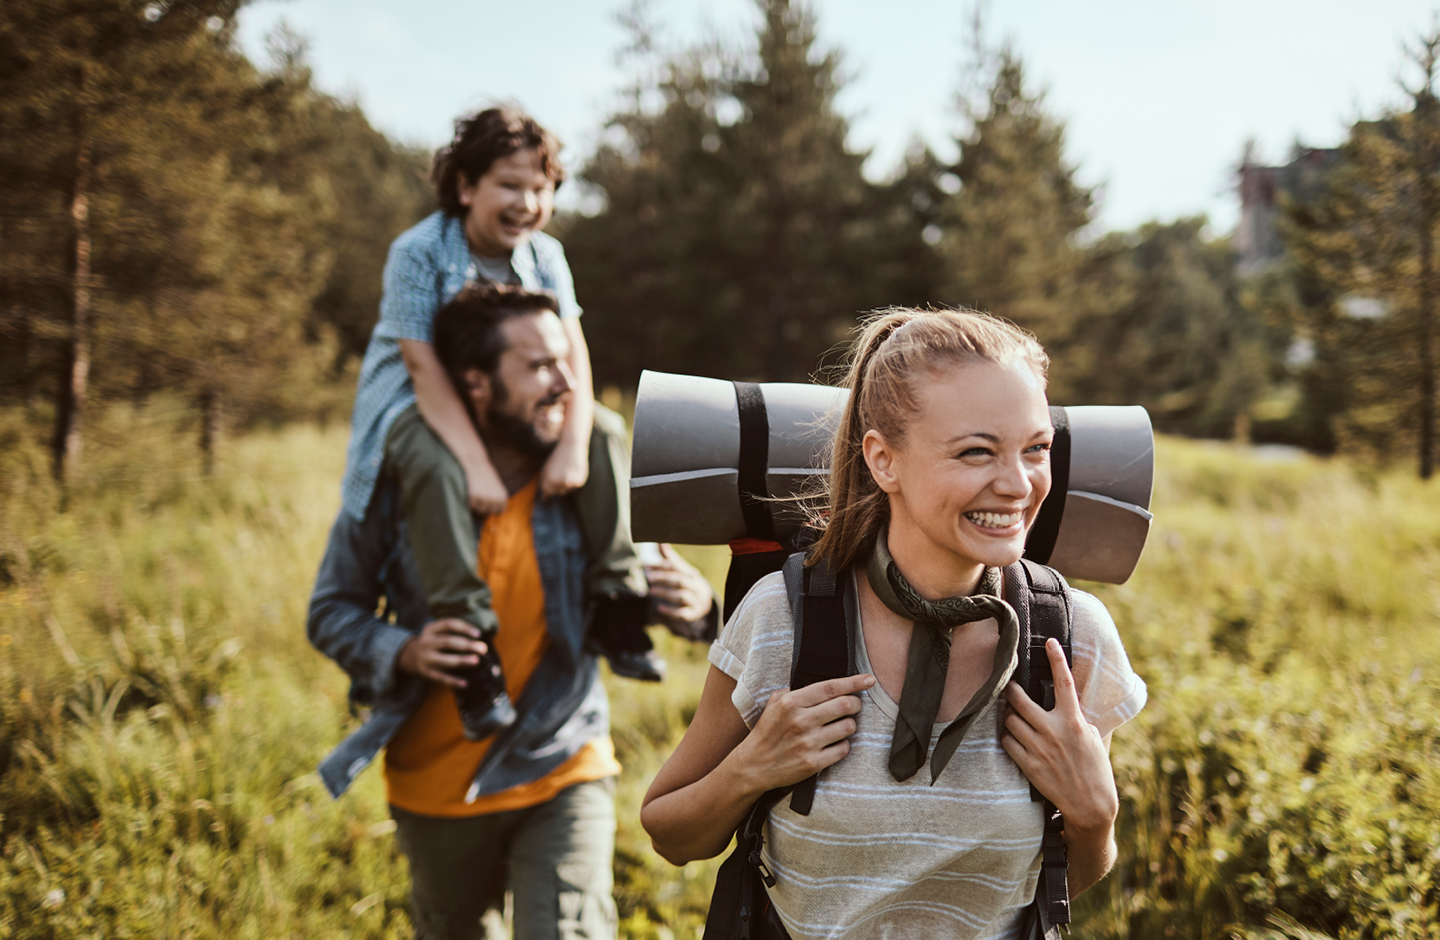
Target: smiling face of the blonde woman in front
{"points": [[970, 477]]}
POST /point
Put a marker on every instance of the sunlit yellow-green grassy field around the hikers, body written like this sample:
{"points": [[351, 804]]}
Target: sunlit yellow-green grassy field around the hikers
{"points": [[162, 713]]}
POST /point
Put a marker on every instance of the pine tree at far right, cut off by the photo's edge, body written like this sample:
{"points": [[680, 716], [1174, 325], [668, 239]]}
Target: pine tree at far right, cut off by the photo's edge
{"points": [[1366, 264]]}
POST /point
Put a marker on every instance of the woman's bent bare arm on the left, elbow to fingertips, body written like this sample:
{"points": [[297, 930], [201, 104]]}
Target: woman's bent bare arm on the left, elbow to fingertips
{"points": [[721, 768]]}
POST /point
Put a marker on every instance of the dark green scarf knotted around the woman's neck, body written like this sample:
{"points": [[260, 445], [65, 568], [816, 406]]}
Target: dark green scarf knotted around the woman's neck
{"points": [[931, 660]]}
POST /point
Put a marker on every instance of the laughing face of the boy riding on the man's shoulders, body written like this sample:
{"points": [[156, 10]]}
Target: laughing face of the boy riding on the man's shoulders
{"points": [[510, 202]]}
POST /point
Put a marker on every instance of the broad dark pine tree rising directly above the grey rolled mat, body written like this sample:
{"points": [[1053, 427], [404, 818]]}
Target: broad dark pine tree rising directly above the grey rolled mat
{"points": [[738, 222]]}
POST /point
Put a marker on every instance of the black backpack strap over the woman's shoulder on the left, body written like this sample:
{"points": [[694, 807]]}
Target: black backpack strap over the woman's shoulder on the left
{"points": [[822, 641]]}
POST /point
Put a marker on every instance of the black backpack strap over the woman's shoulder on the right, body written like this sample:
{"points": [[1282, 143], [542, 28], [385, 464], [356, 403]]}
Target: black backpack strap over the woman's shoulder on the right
{"points": [[1045, 608]]}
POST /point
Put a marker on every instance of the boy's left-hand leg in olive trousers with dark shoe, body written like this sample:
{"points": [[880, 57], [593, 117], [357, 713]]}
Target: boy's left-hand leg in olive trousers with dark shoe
{"points": [[436, 502]]}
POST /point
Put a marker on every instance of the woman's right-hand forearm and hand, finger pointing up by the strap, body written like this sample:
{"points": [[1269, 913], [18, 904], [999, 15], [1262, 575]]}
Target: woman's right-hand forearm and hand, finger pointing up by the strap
{"points": [[1068, 761]]}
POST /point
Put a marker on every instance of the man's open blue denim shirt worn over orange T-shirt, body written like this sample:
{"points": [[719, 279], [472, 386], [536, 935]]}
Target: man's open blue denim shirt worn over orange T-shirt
{"points": [[369, 561]]}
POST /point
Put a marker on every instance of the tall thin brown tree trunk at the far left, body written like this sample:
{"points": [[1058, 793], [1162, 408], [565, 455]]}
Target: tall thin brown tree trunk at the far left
{"points": [[66, 446]]}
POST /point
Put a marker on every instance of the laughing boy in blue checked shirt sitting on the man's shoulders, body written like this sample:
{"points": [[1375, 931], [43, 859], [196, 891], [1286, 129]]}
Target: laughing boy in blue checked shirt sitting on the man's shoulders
{"points": [[496, 189]]}
